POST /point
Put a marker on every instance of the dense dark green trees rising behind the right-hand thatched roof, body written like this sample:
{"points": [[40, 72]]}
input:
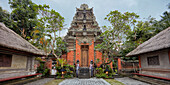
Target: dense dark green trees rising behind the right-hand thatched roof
{"points": [[143, 31]]}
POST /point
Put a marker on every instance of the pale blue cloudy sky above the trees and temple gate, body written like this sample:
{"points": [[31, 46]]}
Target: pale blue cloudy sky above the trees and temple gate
{"points": [[67, 8]]}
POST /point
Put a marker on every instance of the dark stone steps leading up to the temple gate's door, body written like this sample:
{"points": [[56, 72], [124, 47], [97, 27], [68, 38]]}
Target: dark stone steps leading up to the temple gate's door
{"points": [[84, 72]]}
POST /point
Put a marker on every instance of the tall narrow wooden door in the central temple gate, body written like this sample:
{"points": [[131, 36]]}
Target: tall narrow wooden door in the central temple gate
{"points": [[84, 56]]}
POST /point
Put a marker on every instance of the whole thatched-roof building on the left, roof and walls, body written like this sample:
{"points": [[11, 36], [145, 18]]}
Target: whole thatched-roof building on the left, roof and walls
{"points": [[17, 56]]}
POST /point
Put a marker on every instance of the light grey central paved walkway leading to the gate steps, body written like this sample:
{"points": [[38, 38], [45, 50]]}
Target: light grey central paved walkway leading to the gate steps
{"points": [[91, 81]]}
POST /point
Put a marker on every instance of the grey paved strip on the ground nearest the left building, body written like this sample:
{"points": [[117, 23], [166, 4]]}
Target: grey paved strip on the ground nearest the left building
{"points": [[40, 82]]}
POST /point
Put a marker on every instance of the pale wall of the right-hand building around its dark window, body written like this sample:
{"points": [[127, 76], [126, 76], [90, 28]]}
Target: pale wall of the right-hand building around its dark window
{"points": [[161, 70]]}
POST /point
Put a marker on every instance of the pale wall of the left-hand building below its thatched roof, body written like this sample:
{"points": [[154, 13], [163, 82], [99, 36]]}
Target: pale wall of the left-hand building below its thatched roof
{"points": [[20, 66]]}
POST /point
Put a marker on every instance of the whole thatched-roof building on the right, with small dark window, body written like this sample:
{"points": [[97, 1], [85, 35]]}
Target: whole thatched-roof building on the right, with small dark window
{"points": [[154, 56]]}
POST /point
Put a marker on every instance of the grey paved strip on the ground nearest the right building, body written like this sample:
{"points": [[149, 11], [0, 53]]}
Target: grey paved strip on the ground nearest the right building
{"points": [[129, 81]]}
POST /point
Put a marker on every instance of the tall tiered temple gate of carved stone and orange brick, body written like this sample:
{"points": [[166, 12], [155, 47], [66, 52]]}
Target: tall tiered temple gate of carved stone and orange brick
{"points": [[82, 37]]}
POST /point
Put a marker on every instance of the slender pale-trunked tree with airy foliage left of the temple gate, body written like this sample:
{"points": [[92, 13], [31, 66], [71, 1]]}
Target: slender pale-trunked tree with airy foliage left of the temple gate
{"points": [[51, 21]]}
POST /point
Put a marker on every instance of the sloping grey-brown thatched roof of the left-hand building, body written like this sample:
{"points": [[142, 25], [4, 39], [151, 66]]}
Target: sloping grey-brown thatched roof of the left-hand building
{"points": [[12, 40]]}
